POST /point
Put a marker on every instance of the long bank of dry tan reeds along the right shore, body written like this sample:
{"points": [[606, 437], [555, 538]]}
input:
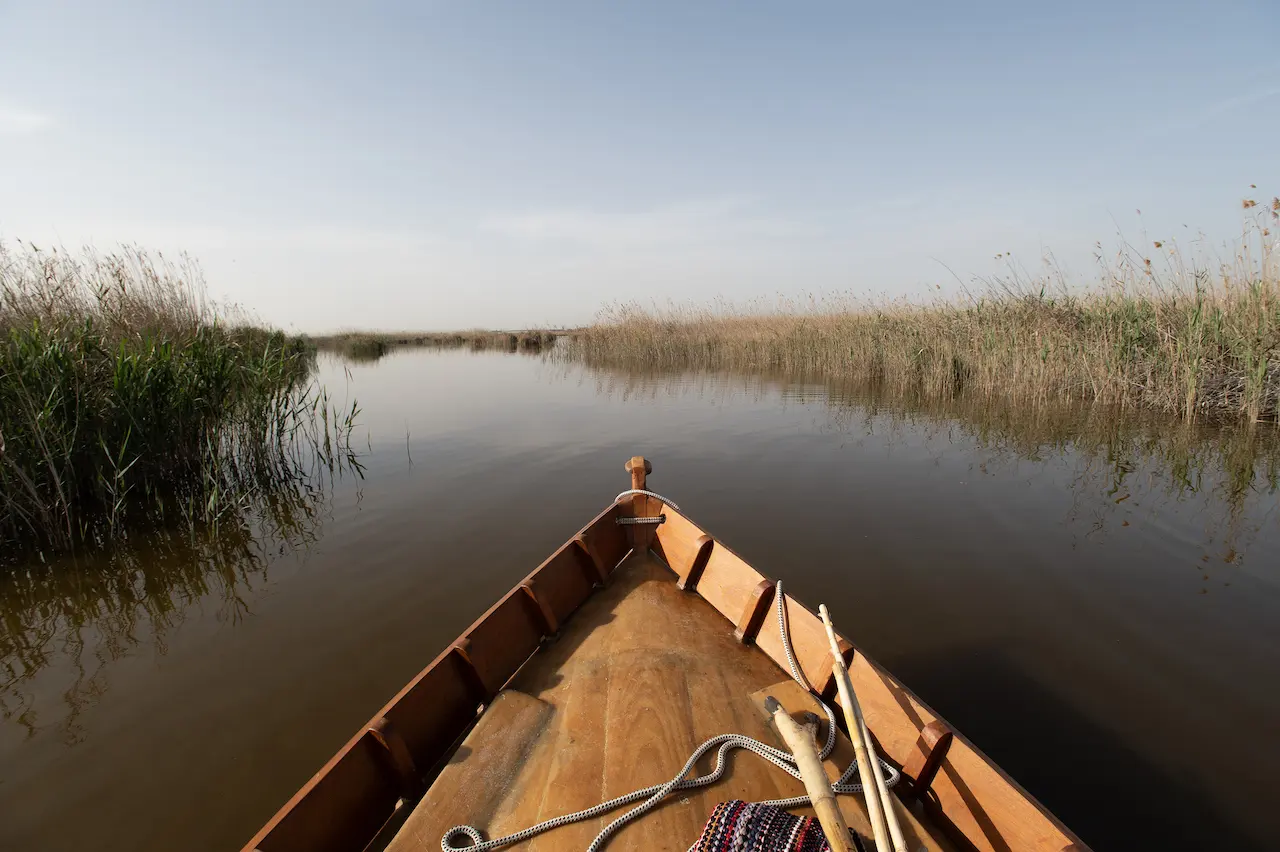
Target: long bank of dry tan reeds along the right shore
{"points": [[1168, 329]]}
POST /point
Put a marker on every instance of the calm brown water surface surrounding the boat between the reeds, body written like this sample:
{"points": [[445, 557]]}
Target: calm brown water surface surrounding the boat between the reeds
{"points": [[1094, 602]]}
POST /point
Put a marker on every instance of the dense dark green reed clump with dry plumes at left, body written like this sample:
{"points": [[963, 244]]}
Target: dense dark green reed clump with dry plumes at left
{"points": [[129, 400]]}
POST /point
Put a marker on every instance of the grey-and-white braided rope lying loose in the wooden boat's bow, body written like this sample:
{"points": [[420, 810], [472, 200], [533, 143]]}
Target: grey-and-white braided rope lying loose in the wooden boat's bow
{"points": [[653, 796]]}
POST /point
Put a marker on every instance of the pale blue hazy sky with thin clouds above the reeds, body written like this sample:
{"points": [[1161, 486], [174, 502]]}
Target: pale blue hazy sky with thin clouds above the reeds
{"points": [[450, 166]]}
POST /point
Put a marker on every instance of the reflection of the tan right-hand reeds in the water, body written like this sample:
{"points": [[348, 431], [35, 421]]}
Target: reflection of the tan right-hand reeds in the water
{"points": [[1113, 460]]}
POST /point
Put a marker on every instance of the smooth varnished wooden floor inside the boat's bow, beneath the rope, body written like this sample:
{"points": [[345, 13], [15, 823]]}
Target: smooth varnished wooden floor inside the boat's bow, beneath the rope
{"points": [[638, 679]]}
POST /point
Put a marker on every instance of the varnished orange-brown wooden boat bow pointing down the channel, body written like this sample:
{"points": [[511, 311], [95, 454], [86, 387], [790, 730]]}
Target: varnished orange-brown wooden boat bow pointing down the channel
{"points": [[660, 640]]}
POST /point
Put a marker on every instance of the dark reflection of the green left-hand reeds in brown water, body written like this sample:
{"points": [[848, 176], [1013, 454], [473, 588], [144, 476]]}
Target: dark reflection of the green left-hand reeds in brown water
{"points": [[81, 613]]}
